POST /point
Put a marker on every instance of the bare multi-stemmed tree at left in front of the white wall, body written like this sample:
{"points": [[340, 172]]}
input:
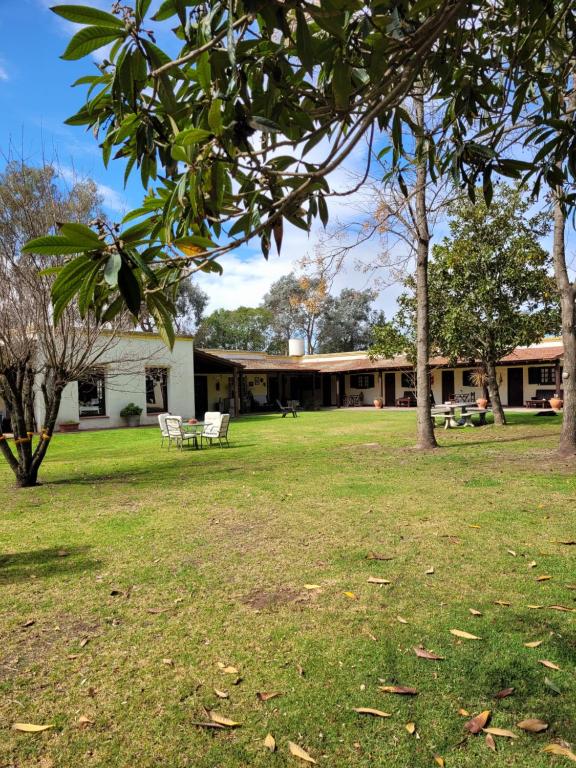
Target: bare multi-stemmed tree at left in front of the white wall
{"points": [[38, 358]]}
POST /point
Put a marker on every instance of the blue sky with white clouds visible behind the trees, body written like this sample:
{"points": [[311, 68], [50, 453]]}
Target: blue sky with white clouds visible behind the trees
{"points": [[36, 97]]}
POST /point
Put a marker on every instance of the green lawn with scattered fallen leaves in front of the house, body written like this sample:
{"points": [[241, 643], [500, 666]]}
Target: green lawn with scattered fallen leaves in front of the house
{"points": [[143, 570]]}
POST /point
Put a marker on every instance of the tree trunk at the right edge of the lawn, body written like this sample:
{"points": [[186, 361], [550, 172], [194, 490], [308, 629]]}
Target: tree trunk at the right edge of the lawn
{"points": [[567, 291]]}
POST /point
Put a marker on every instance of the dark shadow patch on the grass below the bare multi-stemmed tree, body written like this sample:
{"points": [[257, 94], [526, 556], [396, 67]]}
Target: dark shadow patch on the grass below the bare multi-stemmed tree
{"points": [[44, 563]]}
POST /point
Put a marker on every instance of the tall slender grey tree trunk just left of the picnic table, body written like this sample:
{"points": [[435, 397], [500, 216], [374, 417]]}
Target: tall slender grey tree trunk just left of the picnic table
{"points": [[425, 426]]}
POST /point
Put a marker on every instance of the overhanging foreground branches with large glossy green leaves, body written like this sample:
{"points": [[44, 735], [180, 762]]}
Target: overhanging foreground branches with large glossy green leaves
{"points": [[236, 126]]}
